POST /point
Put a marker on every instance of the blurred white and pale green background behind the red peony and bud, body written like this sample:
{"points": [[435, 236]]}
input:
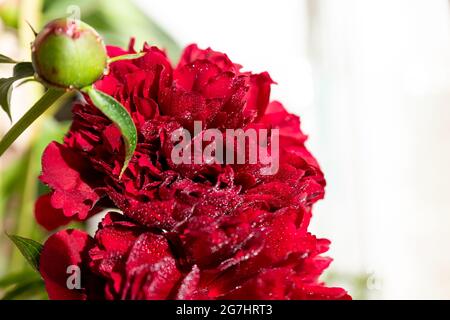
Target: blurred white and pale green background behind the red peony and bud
{"points": [[371, 82]]}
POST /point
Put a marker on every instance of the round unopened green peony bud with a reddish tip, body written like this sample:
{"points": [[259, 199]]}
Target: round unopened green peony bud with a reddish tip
{"points": [[69, 54]]}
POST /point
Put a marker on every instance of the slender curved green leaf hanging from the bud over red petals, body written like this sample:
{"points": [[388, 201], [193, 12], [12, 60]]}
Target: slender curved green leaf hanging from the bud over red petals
{"points": [[120, 117]]}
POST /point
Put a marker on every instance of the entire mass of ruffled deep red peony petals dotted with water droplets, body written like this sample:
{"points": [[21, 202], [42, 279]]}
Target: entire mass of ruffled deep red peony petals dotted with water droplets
{"points": [[188, 231]]}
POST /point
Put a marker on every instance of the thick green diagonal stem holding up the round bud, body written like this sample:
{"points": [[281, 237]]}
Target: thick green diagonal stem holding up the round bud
{"points": [[28, 118]]}
